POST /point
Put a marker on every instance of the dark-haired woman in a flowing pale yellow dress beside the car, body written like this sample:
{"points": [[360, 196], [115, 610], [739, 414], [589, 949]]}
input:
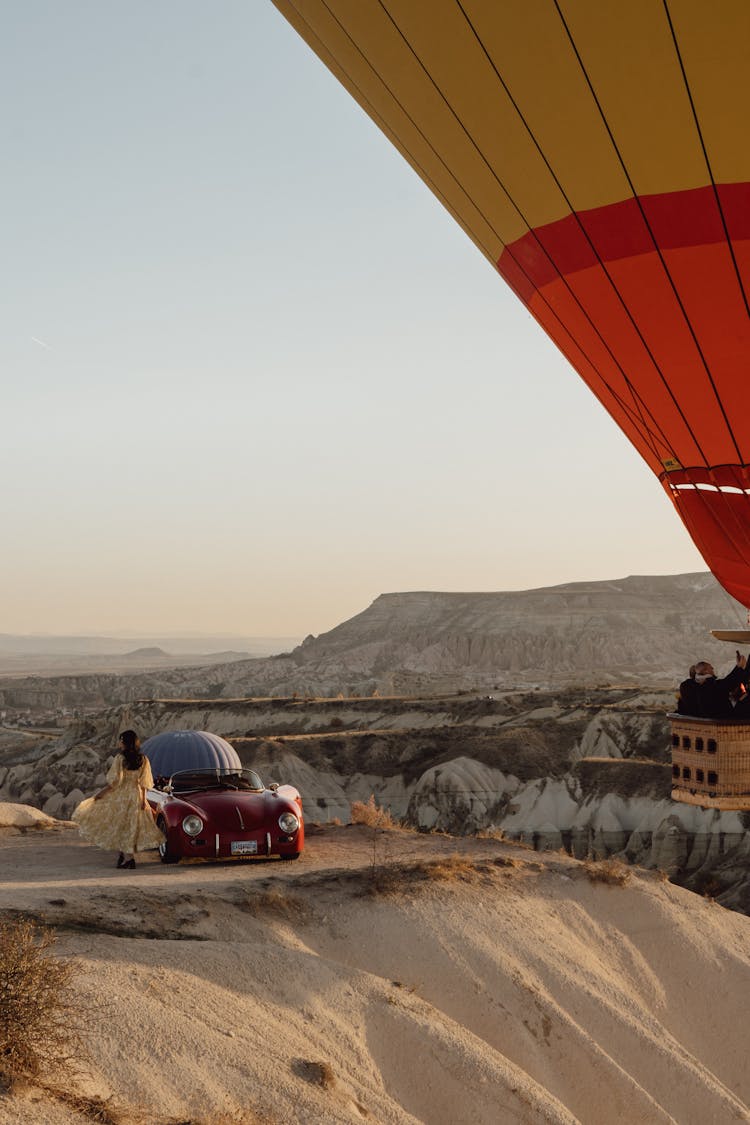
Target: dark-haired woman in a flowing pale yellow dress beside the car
{"points": [[119, 817]]}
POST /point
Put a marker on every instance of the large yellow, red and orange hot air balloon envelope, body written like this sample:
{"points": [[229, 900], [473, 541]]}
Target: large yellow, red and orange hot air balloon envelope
{"points": [[597, 155]]}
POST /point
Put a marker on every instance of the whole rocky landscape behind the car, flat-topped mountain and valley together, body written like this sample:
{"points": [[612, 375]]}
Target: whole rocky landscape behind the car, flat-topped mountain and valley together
{"points": [[540, 715]]}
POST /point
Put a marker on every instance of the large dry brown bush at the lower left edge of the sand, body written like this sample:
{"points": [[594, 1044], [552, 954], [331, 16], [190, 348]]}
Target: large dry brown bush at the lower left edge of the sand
{"points": [[41, 1019]]}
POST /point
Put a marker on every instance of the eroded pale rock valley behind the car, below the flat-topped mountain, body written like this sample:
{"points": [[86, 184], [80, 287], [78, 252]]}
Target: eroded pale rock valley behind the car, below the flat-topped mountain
{"points": [[582, 770]]}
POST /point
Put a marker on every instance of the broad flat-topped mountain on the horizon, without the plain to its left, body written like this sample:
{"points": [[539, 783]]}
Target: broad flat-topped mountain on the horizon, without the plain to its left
{"points": [[638, 628]]}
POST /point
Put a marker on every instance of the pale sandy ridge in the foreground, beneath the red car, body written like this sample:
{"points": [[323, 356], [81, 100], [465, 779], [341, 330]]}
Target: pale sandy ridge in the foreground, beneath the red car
{"points": [[476, 984]]}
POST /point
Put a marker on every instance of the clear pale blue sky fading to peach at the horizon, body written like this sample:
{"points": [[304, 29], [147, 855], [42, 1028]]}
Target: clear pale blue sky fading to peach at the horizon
{"points": [[254, 375]]}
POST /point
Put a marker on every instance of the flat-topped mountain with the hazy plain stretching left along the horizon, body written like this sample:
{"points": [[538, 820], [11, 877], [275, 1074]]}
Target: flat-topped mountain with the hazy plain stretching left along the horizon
{"points": [[643, 631]]}
